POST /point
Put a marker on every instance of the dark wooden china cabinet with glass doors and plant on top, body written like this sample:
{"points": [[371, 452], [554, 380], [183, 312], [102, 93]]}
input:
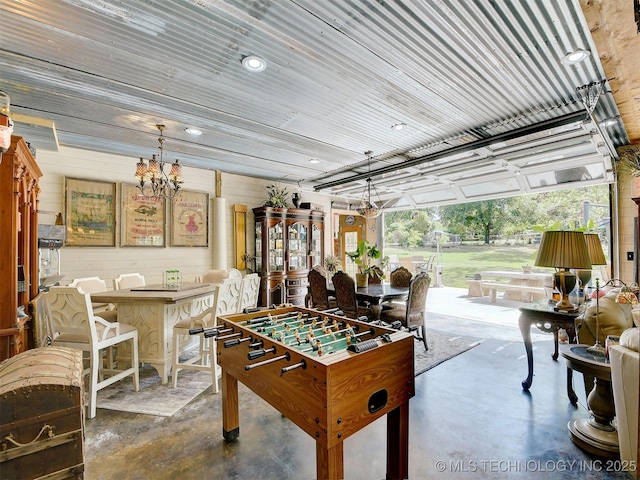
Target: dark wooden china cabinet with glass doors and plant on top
{"points": [[289, 242]]}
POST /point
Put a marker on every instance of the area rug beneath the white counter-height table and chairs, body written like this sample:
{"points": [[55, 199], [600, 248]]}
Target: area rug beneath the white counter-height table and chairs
{"points": [[153, 397]]}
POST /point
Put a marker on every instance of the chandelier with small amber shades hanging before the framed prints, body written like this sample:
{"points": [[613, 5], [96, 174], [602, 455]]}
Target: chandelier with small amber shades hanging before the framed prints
{"points": [[154, 181]]}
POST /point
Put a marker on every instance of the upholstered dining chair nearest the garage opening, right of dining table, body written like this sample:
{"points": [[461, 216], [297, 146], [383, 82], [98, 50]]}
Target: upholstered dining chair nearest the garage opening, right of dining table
{"points": [[412, 313]]}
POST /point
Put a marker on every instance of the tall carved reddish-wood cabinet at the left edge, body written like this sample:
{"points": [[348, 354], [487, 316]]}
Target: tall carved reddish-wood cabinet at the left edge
{"points": [[19, 176]]}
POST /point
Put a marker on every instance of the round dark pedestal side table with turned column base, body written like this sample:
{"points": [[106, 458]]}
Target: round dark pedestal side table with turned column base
{"points": [[595, 434]]}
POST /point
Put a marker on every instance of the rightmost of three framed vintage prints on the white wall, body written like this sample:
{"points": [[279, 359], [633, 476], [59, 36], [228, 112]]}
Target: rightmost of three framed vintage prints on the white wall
{"points": [[190, 220]]}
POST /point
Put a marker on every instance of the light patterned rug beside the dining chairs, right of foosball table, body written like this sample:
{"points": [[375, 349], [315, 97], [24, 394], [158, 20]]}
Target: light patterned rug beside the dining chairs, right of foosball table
{"points": [[442, 347]]}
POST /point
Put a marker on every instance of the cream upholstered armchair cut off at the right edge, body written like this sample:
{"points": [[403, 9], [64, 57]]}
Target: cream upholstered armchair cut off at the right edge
{"points": [[625, 375]]}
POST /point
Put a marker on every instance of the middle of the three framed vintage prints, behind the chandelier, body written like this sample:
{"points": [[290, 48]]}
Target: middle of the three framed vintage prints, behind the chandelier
{"points": [[143, 219]]}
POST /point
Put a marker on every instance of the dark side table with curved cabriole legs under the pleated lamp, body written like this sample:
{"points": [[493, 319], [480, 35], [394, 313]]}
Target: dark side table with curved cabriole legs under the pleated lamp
{"points": [[542, 315]]}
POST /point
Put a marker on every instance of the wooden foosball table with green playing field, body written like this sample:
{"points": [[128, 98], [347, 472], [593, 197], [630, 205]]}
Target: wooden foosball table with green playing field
{"points": [[328, 374]]}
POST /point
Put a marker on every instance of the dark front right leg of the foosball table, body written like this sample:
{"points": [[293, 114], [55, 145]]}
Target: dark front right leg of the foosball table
{"points": [[398, 443]]}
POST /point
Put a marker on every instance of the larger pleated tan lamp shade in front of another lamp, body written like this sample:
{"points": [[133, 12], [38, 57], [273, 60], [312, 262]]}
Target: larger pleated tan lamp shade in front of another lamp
{"points": [[563, 249]]}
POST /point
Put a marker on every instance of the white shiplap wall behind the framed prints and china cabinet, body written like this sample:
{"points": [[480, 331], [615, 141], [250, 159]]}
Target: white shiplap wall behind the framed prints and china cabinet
{"points": [[108, 263]]}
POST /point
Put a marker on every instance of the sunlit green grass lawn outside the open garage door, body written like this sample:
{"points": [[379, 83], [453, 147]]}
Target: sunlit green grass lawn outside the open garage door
{"points": [[462, 262]]}
